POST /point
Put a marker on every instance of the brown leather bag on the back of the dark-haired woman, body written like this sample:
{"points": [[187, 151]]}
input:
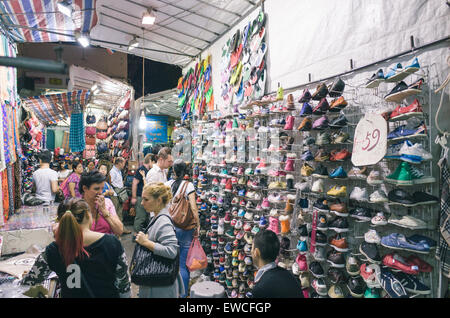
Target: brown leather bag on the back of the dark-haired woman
{"points": [[181, 212]]}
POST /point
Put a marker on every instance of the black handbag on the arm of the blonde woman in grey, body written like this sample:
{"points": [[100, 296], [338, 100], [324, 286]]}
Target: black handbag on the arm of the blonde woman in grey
{"points": [[149, 269]]}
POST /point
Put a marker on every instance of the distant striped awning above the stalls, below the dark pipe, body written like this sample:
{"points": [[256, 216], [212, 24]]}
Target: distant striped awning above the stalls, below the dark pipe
{"points": [[52, 108]]}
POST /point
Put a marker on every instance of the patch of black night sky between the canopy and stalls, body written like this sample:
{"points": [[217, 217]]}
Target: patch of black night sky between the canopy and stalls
{"points": [[158, 76]]}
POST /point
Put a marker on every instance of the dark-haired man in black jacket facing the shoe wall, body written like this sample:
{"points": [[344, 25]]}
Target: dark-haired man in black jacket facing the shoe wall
{"points": [[272, 281]]}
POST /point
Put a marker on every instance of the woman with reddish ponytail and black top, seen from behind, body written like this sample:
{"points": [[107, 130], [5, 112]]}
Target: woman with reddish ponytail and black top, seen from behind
{"points": [[77, 255]]}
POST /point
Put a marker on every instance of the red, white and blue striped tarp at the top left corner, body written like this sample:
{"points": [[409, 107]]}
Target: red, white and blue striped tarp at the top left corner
{"points": [[44, 14]]}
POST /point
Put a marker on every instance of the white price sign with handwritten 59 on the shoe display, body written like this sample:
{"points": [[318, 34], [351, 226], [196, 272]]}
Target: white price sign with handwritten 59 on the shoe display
{"points": [[370, 141]]}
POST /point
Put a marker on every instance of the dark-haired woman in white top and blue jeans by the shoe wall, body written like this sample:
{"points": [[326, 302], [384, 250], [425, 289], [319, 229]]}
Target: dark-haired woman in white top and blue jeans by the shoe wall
{"points": [[184, 236]]}
